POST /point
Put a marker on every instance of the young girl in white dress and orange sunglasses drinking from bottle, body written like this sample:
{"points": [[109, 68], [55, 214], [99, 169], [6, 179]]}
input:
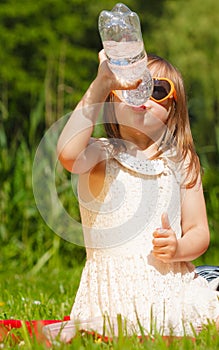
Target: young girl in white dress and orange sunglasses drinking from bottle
{"points": [[142, 207]]}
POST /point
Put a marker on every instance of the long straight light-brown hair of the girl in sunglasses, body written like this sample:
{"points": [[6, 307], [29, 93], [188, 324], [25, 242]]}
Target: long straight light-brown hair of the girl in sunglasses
{"points": [[178, 123]]}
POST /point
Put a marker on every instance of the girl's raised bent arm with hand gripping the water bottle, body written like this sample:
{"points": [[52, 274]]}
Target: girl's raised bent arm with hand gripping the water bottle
{"points": [[72, 147]]}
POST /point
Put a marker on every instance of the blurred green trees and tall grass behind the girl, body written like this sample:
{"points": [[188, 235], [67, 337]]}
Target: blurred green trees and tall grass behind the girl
{"points": [[48, 57]]}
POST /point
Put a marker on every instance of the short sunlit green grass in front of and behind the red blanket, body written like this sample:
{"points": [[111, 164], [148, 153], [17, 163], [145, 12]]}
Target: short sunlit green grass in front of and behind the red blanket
{"points": [[50, 295]]}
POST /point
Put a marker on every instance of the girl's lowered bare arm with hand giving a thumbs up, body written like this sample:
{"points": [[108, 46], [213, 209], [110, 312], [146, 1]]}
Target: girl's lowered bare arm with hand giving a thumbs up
{"points": [[195, 232]]}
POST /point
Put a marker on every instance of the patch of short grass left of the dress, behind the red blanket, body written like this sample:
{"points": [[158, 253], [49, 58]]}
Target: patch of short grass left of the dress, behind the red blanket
{"points": [[47, 295]]}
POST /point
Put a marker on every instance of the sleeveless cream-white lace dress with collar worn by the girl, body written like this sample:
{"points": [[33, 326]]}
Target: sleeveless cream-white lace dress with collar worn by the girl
{"points": [[121, 276]]}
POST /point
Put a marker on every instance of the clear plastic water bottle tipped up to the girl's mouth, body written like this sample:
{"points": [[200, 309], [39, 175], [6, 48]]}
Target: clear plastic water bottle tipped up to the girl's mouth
{"points": [[120, 32]]}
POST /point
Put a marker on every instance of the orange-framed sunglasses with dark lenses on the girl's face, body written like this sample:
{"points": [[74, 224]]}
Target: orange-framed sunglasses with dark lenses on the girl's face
{"points": [[163, 88]]}
